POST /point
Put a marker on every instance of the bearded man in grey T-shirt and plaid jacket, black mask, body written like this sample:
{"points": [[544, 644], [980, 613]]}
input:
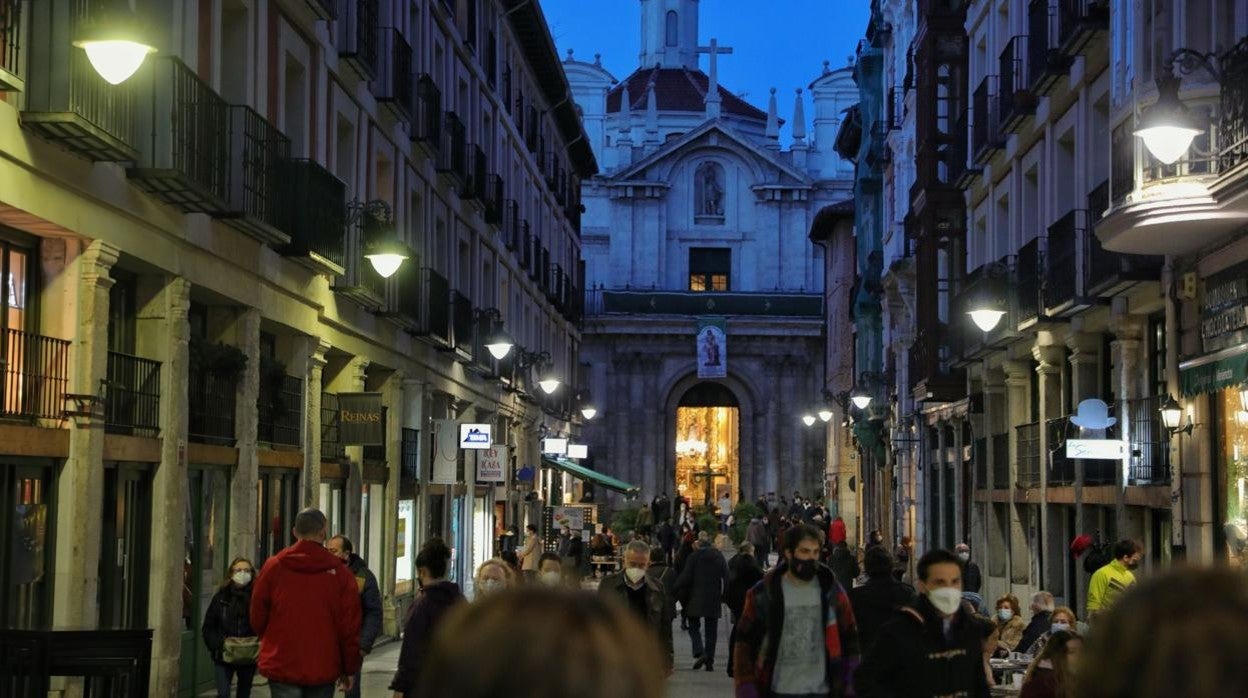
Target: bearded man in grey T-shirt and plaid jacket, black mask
{"points": [[797, 635]]}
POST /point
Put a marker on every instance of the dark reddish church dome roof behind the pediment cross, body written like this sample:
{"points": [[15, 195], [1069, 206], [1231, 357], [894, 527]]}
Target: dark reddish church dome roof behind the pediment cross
{"points": [[678, 89]]}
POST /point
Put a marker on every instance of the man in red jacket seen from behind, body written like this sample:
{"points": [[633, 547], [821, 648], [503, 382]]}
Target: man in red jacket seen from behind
{"points": [[305, 607]]}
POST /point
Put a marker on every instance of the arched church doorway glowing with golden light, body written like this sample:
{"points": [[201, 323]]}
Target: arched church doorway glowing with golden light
{"points": [[708, 444]]}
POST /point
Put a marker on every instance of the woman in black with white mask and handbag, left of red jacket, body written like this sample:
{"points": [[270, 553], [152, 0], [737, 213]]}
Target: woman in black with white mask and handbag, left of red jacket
{"points": [[228, 617]]}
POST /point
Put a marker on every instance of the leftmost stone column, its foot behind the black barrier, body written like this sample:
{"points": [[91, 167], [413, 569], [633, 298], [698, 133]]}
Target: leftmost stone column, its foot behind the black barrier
{"points": [[79, 500]]}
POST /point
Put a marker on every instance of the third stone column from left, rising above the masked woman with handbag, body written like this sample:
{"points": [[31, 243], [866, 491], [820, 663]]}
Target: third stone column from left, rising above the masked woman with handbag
{"points": [[243, 485]]}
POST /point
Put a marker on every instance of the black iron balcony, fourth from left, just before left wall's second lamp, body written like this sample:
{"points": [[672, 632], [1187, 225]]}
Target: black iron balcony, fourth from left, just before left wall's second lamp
{"points": [[314, 213]]}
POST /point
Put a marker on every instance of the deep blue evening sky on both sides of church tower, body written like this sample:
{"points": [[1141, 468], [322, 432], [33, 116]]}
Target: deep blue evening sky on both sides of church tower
{"points": [[777, 44]]}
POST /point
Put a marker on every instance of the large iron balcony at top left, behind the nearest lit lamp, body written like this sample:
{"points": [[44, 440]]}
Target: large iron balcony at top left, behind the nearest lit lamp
{"points": [[67, 101]]}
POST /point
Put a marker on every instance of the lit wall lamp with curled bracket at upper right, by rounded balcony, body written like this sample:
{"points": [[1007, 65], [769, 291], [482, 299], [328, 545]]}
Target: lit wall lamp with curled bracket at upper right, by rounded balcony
{"points": [[1168, 128]]}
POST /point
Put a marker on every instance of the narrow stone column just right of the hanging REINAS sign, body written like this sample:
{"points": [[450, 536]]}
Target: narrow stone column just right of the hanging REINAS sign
{"points": [[392, 399]]}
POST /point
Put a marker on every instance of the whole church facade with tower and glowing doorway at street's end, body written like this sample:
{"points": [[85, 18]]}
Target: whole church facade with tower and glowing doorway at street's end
{"points": [[704, 329]]}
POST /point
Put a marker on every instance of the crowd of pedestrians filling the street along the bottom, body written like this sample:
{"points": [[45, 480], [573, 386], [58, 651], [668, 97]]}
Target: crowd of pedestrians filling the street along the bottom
{"points": [[808, 625]]}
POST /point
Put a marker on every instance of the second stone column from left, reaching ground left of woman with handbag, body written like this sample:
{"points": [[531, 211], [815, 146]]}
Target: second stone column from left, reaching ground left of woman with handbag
{"points": [[165, 324]]}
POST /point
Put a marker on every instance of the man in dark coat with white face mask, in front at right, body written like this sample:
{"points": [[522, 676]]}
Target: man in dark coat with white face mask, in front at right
{"points": [[935, 649]]}
